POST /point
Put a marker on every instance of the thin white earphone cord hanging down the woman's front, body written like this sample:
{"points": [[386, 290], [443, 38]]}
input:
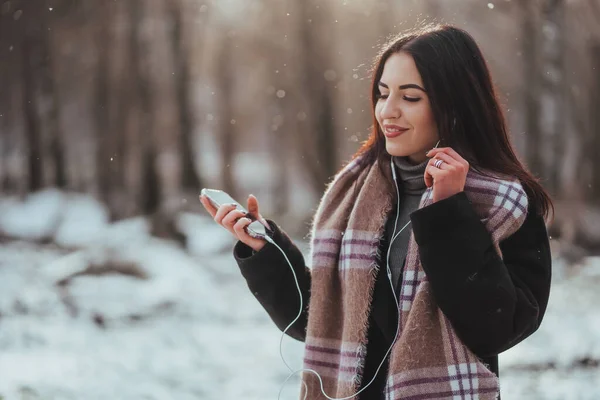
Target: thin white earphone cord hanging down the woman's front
{"points": [[389, 274]]}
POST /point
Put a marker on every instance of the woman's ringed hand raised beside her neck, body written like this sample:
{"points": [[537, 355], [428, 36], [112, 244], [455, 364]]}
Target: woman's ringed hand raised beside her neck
{"points": [[449, 178]]}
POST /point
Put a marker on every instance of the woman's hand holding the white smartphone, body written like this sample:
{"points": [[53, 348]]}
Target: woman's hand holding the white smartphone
{"points": [[235, 221]]}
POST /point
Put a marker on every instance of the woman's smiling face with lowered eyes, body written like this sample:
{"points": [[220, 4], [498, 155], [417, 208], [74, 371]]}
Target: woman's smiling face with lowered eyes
{"points": [[403, 110]]}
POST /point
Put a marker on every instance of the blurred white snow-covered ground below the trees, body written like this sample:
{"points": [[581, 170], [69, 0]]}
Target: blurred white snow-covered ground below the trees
{"points": [[165, 323]]}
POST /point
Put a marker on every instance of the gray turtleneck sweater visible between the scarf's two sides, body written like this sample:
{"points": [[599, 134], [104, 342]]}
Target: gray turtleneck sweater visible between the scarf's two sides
{"points": [[411, 184]]}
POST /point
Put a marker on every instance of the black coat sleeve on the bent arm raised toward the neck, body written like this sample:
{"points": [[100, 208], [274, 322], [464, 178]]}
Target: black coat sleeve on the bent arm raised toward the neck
{"points": [[492, 303]]}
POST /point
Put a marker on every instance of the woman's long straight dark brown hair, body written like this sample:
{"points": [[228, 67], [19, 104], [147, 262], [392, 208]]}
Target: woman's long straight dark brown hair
{"points": [[464, 104]]}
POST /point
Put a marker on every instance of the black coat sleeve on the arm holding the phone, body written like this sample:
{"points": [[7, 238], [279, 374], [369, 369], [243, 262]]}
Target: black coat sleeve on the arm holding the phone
{"points": [[270, 278]]}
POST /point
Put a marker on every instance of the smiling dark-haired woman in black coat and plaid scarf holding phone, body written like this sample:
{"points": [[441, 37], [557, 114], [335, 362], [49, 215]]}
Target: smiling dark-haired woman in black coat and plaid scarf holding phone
{"points": [[440, 253]]}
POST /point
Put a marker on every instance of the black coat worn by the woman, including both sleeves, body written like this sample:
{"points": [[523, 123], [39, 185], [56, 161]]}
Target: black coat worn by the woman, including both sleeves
{"points": [[492, 303]]}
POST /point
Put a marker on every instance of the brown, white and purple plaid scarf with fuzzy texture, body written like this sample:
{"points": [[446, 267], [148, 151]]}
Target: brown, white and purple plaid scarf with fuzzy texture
{"points": [[428, 360]]}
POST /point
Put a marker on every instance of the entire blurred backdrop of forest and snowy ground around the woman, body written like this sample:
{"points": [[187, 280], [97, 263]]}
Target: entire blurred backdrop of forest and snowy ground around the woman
{"points": [[114, 115]]}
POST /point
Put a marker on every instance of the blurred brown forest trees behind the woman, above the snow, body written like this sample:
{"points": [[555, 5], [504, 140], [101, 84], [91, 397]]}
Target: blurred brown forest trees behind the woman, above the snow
{"points": [[141, 103]]}
